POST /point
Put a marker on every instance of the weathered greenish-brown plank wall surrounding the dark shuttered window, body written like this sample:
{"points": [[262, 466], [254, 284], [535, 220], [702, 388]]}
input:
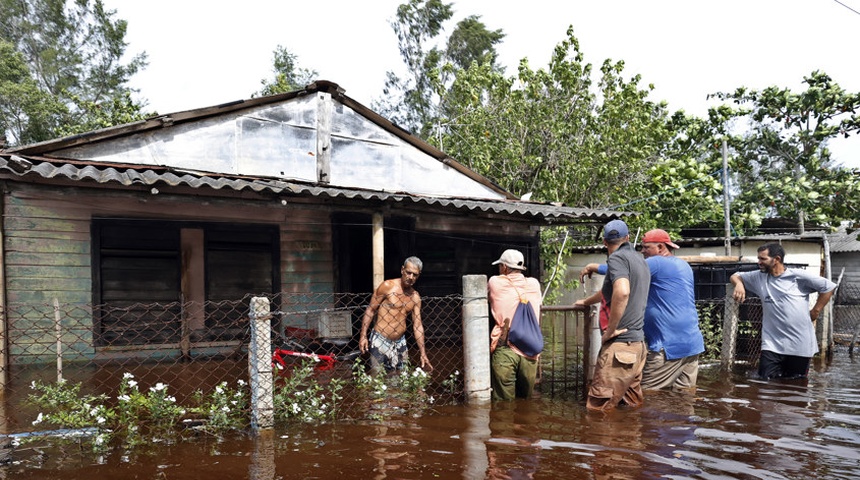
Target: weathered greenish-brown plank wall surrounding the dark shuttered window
{"points": [[48, 251]]}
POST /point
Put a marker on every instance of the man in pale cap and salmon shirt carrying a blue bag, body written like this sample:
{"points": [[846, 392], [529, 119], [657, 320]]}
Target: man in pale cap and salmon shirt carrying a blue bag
{"points": [[512, 372]]}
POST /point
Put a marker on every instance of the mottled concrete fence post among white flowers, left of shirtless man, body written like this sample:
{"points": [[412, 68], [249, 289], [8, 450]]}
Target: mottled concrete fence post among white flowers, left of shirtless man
{"points": [[260, 365]]}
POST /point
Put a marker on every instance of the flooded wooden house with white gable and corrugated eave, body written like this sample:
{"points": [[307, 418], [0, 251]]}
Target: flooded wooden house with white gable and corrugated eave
{"points": [[156, 230]]}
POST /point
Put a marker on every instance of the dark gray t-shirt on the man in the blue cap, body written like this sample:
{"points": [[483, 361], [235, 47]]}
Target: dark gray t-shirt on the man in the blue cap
{"points": [[628, 263]]}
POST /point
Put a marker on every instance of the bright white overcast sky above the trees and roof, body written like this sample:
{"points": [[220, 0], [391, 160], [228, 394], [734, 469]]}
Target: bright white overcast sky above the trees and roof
{"points": [[204, 53]]}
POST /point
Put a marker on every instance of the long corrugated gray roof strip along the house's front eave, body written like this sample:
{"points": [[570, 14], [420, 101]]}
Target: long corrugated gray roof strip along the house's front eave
{"points": [[147, 175]]}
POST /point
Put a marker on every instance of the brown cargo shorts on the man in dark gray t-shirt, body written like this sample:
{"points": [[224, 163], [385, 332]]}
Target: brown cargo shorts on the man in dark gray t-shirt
{"points": [[617, 376]]}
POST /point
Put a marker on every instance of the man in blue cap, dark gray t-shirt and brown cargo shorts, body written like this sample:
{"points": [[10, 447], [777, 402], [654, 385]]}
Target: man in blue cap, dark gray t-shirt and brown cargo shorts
{"points": [[618, 373]]}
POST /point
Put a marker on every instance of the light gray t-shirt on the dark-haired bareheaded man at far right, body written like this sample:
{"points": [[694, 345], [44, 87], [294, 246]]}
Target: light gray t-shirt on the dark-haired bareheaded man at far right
{"points": [[786, 326]]}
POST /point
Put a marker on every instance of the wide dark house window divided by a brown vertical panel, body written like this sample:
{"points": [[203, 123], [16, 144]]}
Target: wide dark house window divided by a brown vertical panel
{"points": [[159, 282]]}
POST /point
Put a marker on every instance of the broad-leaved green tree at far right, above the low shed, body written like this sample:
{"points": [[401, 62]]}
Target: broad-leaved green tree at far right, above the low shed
{"points": [[782, 163]]}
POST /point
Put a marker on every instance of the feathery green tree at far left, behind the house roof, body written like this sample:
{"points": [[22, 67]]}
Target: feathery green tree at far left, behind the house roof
{"points": [[74, 54]]}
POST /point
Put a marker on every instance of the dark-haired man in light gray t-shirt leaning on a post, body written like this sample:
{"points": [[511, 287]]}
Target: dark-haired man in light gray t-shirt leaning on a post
{"points": [[788, 333]]}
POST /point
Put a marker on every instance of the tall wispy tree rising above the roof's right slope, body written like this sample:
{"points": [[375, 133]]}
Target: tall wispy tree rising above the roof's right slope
{"points": [[419, 98]]}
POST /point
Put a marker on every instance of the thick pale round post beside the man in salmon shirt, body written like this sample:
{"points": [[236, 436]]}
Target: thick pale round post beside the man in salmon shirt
{"points": [[476, 339]]}
